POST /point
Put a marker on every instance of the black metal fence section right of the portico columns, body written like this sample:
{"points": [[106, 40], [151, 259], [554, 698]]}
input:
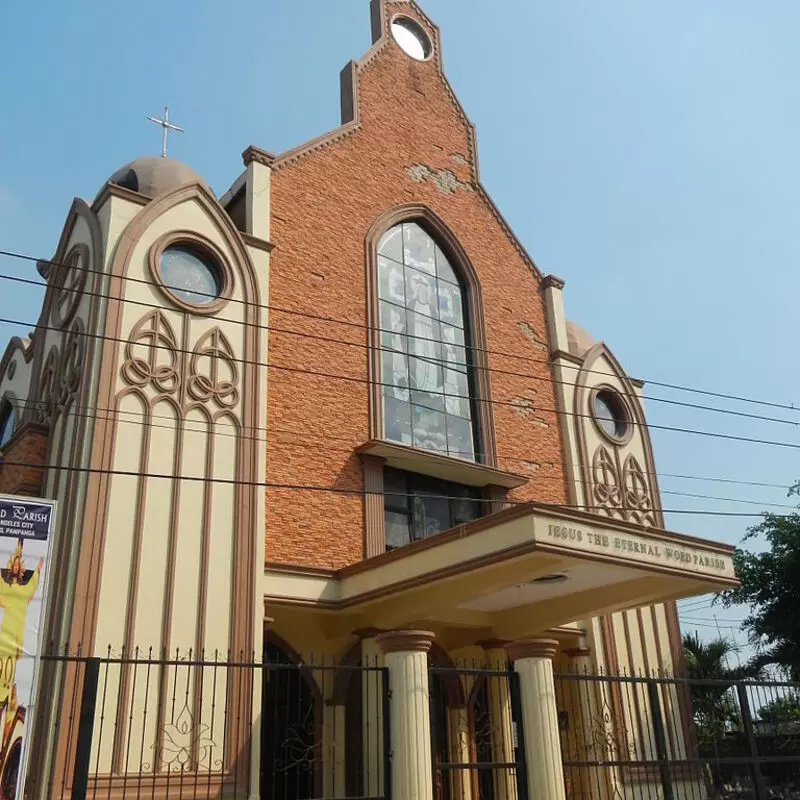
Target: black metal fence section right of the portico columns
{"points": [[672, 738]]}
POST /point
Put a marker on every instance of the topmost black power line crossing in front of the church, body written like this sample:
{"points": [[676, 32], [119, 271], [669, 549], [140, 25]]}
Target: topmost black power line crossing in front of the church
{"points": [[364, 326]]}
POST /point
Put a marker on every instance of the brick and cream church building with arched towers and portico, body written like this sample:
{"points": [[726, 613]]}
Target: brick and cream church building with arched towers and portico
{"points": [[335, 415]]}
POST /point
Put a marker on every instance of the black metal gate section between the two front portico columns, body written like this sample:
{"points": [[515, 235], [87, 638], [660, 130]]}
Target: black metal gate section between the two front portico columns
{"points": [[477, 744]]}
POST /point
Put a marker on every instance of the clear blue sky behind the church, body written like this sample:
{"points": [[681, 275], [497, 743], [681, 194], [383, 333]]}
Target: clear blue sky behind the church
{"points": [[645, 152]]}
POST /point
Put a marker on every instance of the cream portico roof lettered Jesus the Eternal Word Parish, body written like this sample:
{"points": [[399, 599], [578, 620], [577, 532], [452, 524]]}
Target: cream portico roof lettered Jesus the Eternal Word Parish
{"points": [[515, 572]]}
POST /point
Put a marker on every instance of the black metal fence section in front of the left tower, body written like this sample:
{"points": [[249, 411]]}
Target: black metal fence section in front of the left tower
{"points": [[149, 727]]}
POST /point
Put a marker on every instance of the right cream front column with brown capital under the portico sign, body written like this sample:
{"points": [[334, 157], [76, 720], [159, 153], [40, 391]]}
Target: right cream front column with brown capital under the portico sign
{"points": [[533, 662]]}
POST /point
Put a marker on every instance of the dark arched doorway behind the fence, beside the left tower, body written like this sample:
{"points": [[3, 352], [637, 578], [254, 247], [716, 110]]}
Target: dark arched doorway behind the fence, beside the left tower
{"points": [[291, 708]]}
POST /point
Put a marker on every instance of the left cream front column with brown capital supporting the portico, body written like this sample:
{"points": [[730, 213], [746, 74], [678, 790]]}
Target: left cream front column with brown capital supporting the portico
{"points": [[406, 657]]}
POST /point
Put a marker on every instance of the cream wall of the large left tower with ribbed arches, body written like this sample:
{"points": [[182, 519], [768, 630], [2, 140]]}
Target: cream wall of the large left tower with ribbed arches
{"points": [[158, 528]]}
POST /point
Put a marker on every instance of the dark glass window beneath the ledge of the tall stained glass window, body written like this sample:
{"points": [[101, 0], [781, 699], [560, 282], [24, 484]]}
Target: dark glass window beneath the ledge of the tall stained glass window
{"points": [[416, 506]]}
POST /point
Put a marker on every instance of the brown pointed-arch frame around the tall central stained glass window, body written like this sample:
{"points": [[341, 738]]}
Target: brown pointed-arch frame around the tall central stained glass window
{"points": [[474, 328]]}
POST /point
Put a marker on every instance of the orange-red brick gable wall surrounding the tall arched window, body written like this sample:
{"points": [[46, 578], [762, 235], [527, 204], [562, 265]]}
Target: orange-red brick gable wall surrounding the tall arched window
{"points": [[323, 205]]}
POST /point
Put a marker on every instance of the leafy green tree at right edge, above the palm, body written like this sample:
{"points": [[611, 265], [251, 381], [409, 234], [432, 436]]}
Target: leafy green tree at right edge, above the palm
{"points": [[770, 587]]}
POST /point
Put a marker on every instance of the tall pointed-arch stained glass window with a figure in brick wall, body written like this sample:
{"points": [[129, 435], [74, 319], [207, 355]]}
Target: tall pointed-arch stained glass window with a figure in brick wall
{"points": [[425, 371]]}
